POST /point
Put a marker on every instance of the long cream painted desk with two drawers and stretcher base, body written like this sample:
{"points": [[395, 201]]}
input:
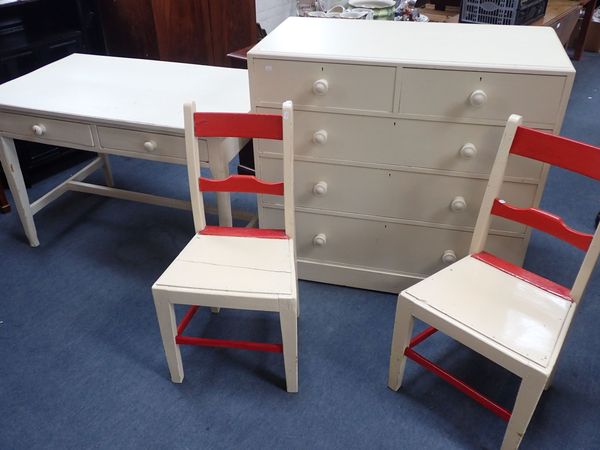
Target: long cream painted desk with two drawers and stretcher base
{"points": [[119, 106]]}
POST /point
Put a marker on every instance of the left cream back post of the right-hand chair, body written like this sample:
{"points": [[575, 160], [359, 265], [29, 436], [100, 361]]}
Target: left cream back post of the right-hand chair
{"points": [[482, 225]]}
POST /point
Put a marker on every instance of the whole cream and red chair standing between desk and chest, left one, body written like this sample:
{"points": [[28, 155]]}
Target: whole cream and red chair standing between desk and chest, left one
{"points": [[241, 268]]}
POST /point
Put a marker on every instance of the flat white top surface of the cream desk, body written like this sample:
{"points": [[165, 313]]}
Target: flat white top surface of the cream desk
{"points": [[120, 91]]}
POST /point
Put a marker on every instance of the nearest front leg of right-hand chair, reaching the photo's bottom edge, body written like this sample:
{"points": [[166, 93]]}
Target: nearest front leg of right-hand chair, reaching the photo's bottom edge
{"points": [[527, 399]]}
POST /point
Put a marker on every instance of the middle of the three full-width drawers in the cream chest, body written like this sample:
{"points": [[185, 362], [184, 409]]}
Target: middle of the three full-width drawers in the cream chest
{"points": [[415, 196]]}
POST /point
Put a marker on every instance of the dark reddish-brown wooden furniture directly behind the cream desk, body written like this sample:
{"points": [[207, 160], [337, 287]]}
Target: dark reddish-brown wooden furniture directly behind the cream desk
{"points": [[195, 31]]}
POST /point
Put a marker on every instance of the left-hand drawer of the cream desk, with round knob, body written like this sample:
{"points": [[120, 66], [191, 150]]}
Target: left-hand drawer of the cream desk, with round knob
{"points": [[41, 129]]}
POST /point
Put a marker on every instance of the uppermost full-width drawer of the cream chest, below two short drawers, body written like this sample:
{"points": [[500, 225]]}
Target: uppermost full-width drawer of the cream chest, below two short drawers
{"points": [[449, 146]]}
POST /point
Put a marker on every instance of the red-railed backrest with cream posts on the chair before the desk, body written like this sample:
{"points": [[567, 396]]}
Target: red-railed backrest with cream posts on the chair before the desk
{"points": [[239, 125]]}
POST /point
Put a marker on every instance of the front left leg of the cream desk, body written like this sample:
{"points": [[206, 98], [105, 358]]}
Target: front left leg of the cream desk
{"points": [[12, 170]]}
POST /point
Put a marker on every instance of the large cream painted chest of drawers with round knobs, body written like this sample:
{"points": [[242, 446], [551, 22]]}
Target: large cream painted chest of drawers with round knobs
{"points": [[396, 129]]}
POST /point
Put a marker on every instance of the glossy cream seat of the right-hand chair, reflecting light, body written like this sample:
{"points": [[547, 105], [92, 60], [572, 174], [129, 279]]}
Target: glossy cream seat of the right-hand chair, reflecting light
{"points": [[517, 315]]}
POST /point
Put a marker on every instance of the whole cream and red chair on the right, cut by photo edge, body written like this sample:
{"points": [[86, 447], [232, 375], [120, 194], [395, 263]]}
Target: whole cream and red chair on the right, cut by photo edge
{"points": [[515, 318]]}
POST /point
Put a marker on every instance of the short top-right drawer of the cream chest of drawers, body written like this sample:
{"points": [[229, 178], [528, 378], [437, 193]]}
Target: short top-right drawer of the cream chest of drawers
{"points": [[481, 95]]}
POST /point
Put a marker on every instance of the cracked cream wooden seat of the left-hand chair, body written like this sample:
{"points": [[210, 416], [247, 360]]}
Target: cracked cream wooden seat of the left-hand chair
{"points": [[233, 264]]}
